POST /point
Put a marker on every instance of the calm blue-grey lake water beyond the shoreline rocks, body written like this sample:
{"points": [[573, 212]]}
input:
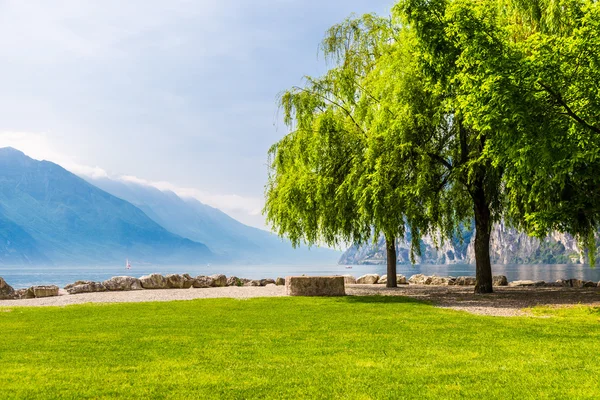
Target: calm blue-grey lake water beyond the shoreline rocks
{"points": [[25, 276]]}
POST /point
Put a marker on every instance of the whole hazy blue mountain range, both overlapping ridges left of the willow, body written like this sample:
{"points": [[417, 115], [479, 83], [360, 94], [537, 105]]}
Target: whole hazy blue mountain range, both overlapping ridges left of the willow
{"points": [[51, 216]]}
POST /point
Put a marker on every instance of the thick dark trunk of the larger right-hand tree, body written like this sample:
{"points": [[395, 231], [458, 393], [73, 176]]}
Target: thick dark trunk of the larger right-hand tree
{"points": [[483, 227]]}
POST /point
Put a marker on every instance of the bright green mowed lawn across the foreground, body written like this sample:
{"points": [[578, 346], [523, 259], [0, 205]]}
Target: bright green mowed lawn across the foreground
{"points": [[362, 348]]}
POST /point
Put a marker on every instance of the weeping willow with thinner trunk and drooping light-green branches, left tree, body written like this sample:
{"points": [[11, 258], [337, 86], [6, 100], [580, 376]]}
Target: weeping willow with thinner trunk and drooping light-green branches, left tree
{"points": [[316, 171]]}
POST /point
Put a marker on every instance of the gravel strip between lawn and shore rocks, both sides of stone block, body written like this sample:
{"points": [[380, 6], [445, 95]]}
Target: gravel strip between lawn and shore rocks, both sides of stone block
{"points": [[506, 301]]}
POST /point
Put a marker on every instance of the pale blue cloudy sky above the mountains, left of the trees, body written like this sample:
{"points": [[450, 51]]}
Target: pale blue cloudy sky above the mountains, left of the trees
{"points": [[178, 94]]}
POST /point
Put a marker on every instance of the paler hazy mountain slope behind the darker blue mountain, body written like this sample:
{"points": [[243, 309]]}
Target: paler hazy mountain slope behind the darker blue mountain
{"points": [[225, 236]]}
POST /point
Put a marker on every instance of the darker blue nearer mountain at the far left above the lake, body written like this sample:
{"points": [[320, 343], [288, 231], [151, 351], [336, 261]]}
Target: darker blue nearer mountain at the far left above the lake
{"points": [[51, 216]]}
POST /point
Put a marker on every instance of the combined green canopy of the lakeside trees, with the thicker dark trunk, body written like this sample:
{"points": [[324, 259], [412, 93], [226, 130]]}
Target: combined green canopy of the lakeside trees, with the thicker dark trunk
{"points": [[448, 111]]}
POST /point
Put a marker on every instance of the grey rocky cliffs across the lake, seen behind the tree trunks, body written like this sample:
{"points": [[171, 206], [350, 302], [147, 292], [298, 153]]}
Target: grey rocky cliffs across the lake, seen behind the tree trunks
{"points": [[507, 246]]}
